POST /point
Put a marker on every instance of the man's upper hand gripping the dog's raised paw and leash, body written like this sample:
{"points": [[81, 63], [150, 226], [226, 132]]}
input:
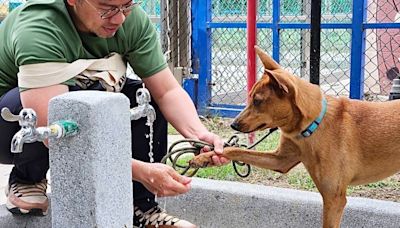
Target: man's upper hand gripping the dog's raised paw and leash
{"points": [[218, 147]]}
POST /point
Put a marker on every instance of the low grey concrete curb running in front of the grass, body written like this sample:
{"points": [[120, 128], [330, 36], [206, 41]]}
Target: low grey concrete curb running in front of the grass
{"points": [[213, 203]]}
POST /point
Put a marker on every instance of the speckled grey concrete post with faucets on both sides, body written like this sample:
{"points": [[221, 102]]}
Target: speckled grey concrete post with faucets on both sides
{"points": [[91, 172]]}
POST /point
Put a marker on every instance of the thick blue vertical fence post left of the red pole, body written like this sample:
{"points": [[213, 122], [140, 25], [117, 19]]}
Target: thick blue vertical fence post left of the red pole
{"points": [[201, 14]]}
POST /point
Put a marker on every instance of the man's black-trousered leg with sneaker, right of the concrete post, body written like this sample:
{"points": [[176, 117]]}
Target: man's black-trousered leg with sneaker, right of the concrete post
{"points": [[146, 210]]}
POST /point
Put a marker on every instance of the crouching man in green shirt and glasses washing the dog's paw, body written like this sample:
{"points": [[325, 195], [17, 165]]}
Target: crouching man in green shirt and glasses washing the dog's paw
{"points": [[58, 33]]}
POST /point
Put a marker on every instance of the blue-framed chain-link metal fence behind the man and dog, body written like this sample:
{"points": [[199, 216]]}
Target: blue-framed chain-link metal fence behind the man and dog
{"points": [[205, 40]]}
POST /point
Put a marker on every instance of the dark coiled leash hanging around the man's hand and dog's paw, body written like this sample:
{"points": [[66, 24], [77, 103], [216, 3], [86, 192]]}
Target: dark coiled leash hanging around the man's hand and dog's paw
{"points": [[190, 146]]}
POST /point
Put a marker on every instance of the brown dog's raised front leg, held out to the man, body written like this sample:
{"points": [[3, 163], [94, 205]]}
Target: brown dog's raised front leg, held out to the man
{"points": [[277, 161]]}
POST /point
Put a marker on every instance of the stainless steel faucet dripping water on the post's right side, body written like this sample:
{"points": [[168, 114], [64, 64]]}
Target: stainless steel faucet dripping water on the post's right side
{"points": [[144, 108]]}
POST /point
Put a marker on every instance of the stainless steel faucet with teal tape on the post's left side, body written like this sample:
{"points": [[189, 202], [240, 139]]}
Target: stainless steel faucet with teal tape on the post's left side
{"points": [[27, 119]]}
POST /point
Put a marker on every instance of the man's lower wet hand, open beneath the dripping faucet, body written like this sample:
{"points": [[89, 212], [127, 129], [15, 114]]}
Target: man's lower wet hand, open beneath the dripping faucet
{"points": [[160, 179]]}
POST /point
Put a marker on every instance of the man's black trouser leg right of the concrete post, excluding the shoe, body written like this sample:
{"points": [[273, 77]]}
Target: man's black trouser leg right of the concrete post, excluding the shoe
{"points": [[144, 199]]}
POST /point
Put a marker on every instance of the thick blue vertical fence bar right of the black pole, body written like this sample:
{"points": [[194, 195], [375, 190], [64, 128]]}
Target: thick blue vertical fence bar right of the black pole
{"points": [[357, 50]]}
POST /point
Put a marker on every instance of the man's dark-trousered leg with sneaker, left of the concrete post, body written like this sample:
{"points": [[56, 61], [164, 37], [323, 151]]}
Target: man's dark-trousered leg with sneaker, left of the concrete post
{"points": [[30, 166]]}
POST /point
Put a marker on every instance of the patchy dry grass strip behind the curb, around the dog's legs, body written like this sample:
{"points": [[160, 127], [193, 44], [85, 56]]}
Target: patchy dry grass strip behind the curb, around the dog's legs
{"points": [[297, 178]]}
